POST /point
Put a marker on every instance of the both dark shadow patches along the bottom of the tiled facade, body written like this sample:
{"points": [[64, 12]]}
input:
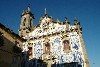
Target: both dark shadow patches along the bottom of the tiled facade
{"points": [[39, 63]]}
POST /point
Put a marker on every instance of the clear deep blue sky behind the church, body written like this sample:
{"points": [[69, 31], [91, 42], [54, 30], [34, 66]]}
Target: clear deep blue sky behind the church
{"points": [[86, 11]]}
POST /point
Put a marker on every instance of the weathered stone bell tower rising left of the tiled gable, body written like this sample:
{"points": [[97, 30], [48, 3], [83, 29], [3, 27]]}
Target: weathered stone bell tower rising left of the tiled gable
{"points": [[26, 22]]}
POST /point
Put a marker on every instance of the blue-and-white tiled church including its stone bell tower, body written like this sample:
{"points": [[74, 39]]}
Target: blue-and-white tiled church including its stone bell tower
{"points": [[52, 43]]}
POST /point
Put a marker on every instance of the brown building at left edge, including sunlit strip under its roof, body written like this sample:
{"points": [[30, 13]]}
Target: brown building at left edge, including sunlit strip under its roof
{"points": [[7, 57]]}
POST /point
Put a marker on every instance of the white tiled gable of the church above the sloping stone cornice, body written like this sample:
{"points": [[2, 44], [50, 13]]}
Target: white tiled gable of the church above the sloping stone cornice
{"points": [[47, 26]]}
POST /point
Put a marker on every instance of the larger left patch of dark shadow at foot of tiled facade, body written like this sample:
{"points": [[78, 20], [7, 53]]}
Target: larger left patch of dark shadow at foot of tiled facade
{"points": [[33, 62]]}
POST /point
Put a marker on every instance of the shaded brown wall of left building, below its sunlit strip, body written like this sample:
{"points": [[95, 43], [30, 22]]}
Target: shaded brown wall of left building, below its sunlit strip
{"points": [[8, 53]]}
